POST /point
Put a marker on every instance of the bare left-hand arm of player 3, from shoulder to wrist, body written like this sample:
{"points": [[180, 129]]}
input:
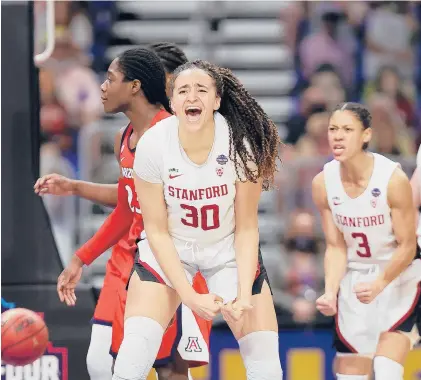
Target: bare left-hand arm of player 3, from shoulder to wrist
{"points": [[335, 261]]}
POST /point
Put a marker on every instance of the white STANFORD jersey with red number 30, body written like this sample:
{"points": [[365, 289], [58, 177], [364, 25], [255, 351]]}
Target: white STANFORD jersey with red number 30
{"points": [[199, 198]]}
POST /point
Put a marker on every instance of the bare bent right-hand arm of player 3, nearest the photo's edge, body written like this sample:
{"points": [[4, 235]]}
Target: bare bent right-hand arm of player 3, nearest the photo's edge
{"points": [[402, 211]]}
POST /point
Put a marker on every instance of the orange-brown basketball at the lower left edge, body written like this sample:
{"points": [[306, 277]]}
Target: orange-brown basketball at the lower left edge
{"points": [[24, 337]]}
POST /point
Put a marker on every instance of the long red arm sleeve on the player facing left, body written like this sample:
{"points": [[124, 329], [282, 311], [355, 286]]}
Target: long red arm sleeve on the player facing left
{"points": [[112, 230]]}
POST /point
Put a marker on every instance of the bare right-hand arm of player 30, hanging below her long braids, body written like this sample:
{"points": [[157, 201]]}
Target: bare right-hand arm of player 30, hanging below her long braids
{"points": [[246, 235]]}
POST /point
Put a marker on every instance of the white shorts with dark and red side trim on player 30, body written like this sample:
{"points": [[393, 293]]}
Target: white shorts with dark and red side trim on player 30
{"points": [[221, 280]]}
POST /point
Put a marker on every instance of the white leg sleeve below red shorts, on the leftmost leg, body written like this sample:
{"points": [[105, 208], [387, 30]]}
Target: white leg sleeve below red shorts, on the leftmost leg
{"points": [[98, 360]]}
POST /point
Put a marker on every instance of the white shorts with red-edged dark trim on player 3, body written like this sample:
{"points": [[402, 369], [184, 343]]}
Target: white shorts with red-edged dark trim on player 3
{"points": [[358, 325]]}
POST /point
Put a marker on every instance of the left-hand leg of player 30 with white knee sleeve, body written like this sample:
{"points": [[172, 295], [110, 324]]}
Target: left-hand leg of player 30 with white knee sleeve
{"points": [[150, 307]]}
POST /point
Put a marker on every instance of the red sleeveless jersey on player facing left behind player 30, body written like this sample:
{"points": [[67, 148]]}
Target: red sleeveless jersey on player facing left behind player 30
{"points": [[126, 166]]}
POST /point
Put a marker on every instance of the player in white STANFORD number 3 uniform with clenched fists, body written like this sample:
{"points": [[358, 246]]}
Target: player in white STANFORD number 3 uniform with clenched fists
{"points": [[372, 284]]}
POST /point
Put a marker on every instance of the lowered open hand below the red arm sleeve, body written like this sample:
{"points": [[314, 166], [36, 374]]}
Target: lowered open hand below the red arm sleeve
{"points": [[67, 281]]}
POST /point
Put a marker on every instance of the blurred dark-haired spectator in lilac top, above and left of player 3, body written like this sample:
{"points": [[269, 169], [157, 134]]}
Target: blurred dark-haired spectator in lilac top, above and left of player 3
{"points": [[329, 46]]}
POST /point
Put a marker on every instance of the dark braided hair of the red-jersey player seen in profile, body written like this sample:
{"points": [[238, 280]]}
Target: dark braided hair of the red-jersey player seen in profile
{"points": [[145, 66]]}
